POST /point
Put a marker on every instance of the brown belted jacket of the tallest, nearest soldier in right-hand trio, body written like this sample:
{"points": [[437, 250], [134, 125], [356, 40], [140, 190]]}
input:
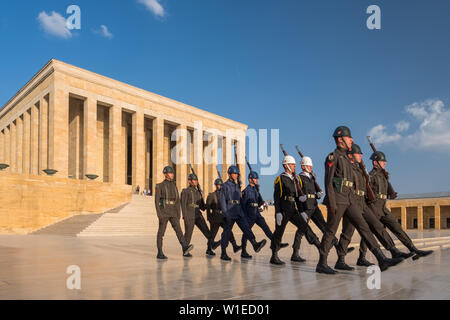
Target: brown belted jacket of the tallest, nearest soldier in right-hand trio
{"points": [[337, 165]]}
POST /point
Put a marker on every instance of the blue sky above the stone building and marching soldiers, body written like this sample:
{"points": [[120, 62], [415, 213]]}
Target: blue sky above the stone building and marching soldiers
{"points": [[303, 67]]}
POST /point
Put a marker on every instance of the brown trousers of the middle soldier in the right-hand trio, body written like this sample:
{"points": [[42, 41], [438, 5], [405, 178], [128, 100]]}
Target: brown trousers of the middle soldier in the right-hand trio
{"points": [[375, 226]]}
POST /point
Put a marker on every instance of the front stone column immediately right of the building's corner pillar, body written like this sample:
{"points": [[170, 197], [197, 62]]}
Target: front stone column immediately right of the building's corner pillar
{"points": [[90, 137]]}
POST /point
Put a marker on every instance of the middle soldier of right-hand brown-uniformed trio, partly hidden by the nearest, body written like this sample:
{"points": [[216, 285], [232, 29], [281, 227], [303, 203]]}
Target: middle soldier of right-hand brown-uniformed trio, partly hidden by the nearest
{"points": [[377, 228]]}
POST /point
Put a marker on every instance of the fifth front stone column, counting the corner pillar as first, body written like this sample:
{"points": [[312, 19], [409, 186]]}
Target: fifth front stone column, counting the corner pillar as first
{"points": [[158, 151]]}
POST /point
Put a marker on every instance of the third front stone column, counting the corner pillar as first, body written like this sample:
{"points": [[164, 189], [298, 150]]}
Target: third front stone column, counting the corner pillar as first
{"points": [[116, 168]]}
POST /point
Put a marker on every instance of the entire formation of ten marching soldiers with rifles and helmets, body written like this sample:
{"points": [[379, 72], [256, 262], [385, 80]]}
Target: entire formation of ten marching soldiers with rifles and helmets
{"points": [[352, 195]]}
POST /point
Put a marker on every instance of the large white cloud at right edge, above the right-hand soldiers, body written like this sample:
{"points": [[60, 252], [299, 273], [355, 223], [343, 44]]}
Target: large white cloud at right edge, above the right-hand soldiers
{"points": [[432, 130]]}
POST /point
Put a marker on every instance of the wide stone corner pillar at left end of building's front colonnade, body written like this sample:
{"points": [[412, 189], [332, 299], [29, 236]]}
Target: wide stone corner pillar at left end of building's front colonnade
{"points": [[58, 144]]}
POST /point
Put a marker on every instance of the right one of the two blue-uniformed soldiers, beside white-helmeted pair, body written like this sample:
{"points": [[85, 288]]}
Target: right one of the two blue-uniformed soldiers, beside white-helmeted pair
{"points": [[252, 204]]}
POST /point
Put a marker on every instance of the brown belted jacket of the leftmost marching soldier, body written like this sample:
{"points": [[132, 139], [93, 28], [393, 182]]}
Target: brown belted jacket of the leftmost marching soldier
{"points": [[167, 191]]}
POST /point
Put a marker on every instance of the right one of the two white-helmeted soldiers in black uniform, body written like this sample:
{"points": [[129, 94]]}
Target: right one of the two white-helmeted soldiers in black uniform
{"points": [[310, 207]]}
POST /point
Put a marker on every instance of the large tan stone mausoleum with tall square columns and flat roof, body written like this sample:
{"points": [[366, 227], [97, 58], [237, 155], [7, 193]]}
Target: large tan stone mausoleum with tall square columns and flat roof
{"points": [[83, 124]]}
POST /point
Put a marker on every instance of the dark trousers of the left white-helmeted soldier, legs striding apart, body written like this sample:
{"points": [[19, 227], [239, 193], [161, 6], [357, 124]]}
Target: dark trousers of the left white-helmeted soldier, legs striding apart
{"points": [[295, 218]]}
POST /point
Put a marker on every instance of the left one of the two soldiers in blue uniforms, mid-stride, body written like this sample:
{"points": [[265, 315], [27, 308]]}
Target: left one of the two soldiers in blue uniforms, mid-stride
{"points": [[230, 204]]}
